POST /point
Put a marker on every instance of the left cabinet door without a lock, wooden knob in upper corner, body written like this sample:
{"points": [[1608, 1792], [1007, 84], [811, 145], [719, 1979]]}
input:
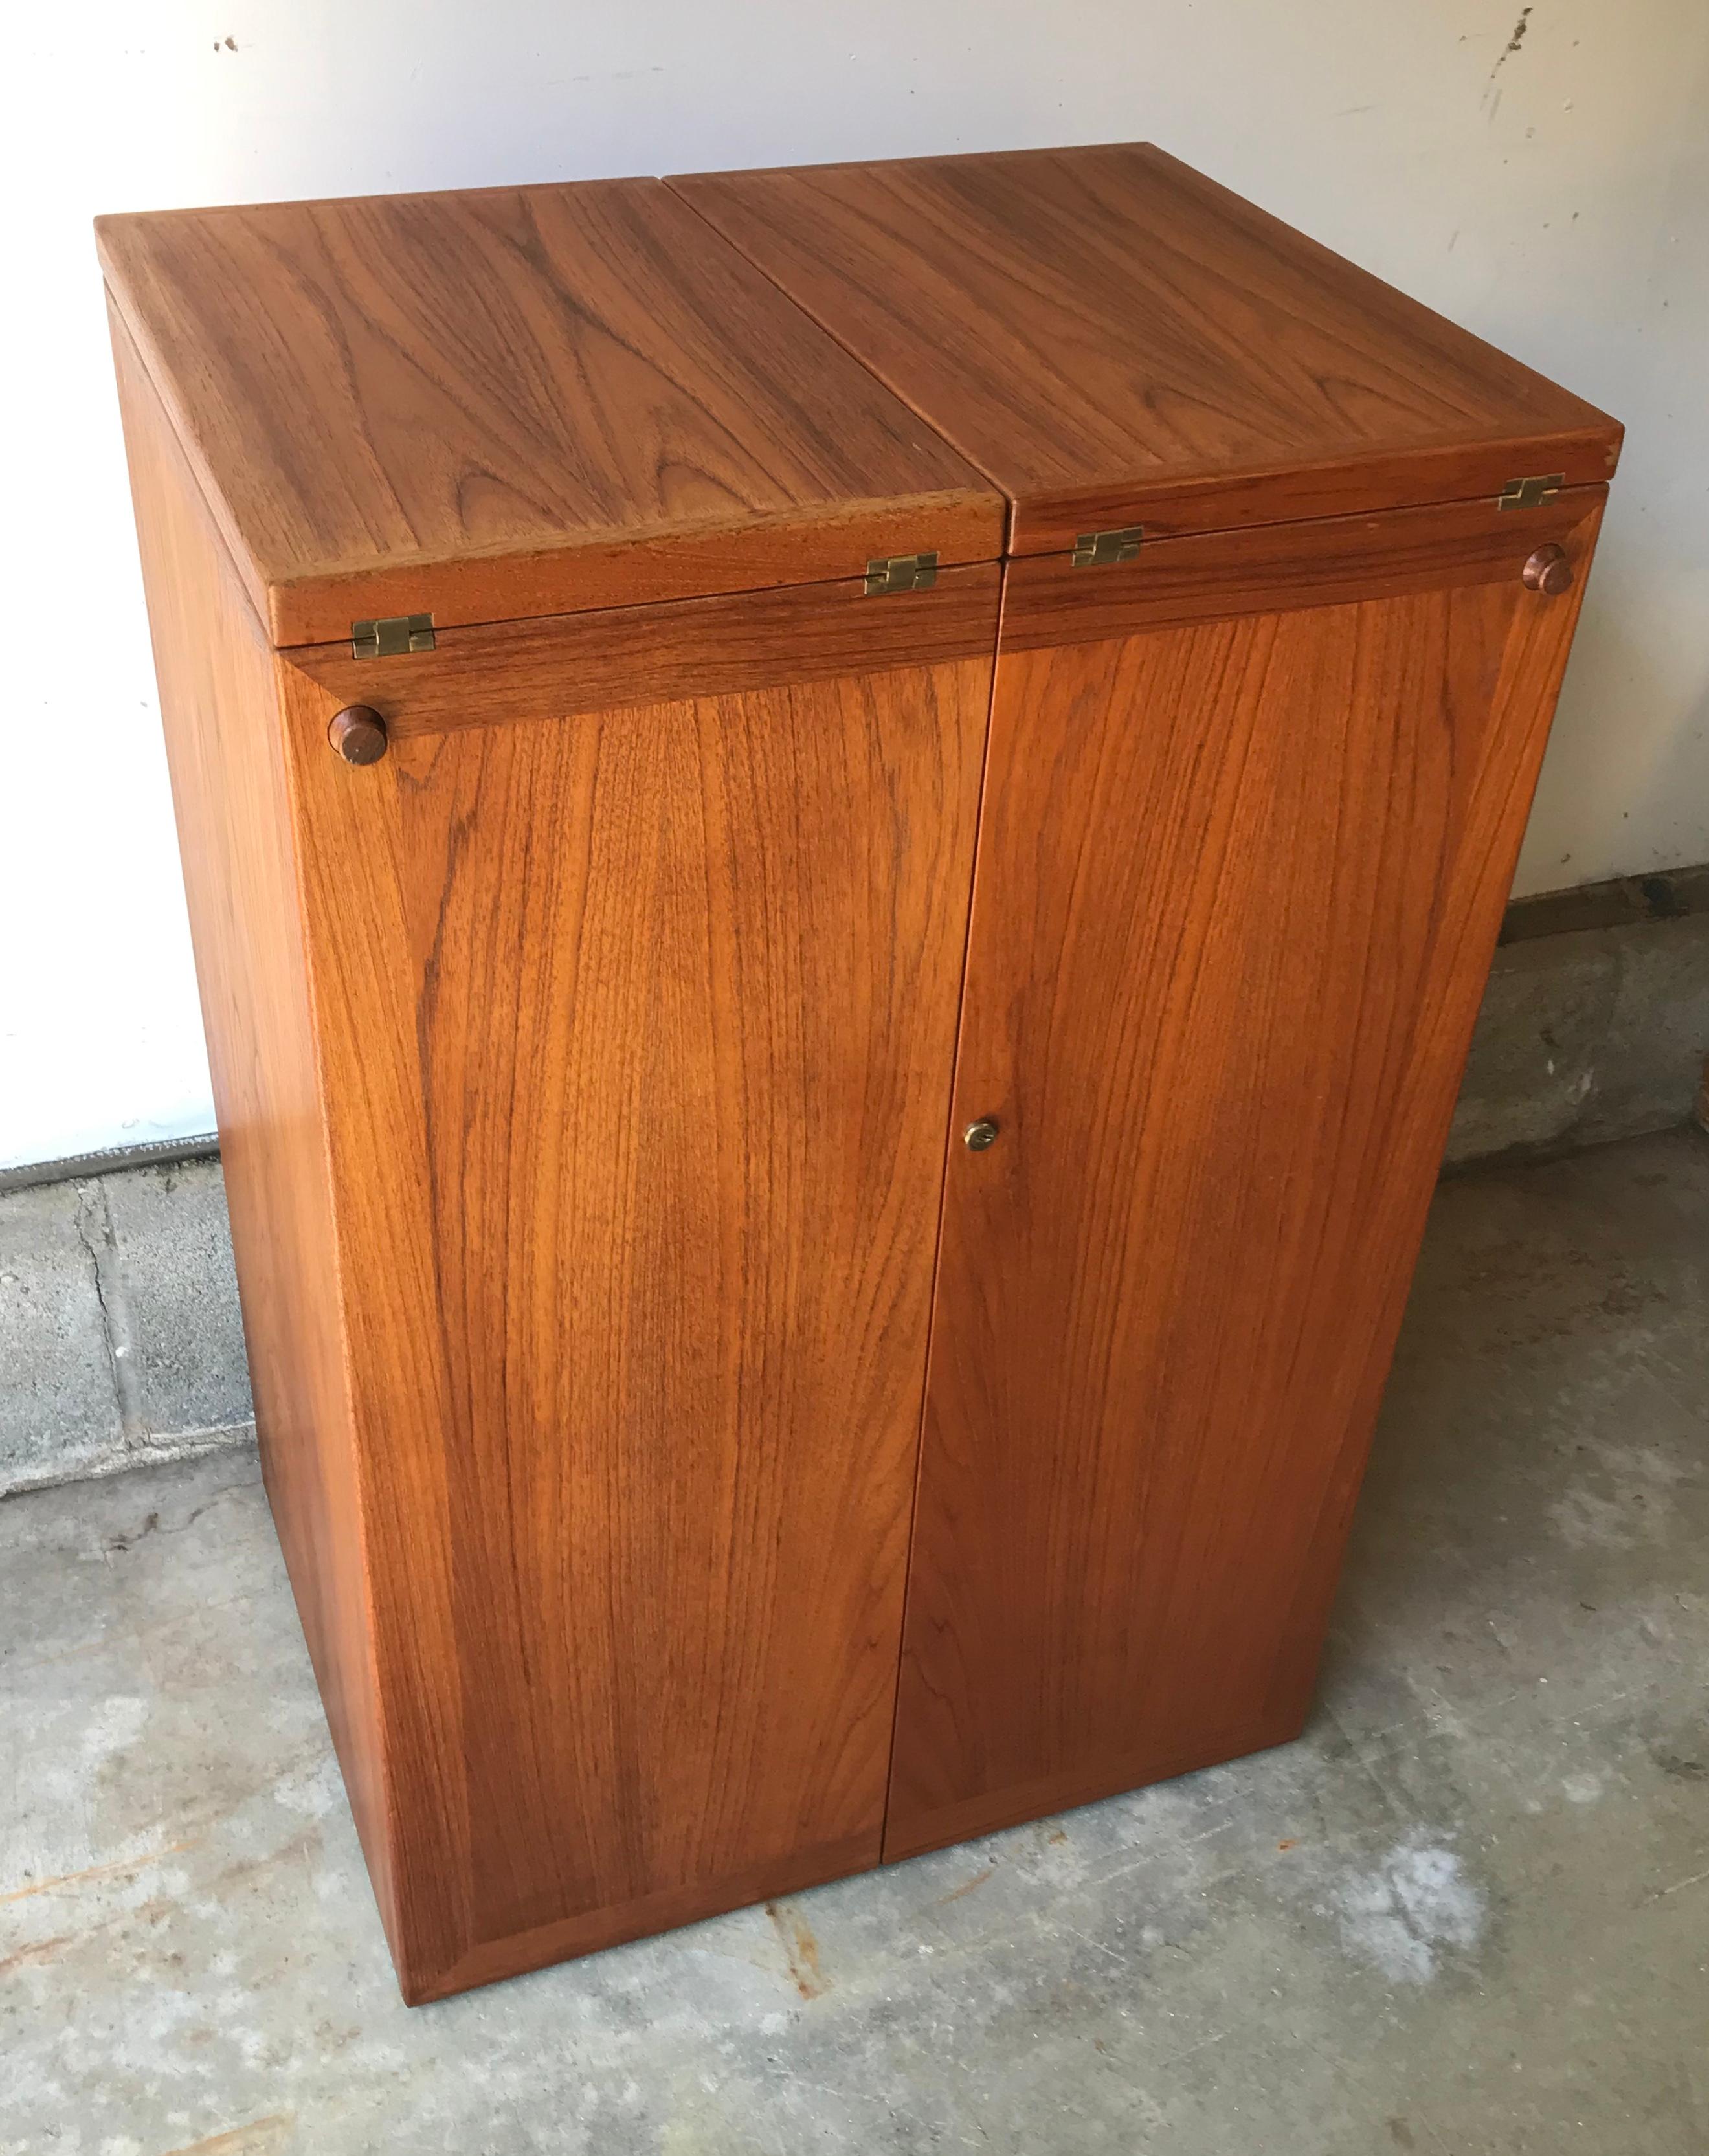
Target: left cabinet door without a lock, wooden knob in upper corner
{"points": [[635, 1036]]}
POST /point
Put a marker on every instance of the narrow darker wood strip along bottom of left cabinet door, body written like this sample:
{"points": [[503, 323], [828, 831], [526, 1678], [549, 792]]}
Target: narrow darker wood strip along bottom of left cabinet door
{"points": [[615, 1926]]}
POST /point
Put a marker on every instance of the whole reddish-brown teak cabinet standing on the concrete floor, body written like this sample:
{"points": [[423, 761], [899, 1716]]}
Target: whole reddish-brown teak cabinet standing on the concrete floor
{"points": [[844, 831]]}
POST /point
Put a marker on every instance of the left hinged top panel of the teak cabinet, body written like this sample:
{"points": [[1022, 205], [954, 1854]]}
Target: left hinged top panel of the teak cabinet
{"points": [[518, 402]]}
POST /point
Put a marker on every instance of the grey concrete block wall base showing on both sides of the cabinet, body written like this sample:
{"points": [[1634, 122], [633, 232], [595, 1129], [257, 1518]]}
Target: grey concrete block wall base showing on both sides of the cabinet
{"points": [[120, 1331]]}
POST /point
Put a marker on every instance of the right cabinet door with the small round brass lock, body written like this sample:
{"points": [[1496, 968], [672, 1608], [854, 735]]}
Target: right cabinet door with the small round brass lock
{"points": [[1251, 816]]}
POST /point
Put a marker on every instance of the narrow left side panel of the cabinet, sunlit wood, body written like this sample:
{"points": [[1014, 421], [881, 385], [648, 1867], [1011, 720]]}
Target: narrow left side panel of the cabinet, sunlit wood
{"points": [[232, 794]]}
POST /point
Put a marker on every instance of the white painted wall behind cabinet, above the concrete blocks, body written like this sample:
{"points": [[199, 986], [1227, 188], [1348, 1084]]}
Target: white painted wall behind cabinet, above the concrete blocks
{"points": [[1548, 193]]}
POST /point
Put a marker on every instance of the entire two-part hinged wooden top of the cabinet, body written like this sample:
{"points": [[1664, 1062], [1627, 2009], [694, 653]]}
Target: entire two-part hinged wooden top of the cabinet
{"points": [[544, 400]]}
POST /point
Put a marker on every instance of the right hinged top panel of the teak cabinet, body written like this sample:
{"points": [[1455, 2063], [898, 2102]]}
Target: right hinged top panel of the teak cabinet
{"points": [[1115, 340]]}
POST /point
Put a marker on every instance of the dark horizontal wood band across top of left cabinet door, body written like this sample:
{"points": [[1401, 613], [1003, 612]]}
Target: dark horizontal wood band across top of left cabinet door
{"points": [[570, 665]]}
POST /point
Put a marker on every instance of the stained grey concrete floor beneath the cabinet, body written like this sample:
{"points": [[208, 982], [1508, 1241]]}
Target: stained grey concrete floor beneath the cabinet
{"points": [[1467, 1913]]}
